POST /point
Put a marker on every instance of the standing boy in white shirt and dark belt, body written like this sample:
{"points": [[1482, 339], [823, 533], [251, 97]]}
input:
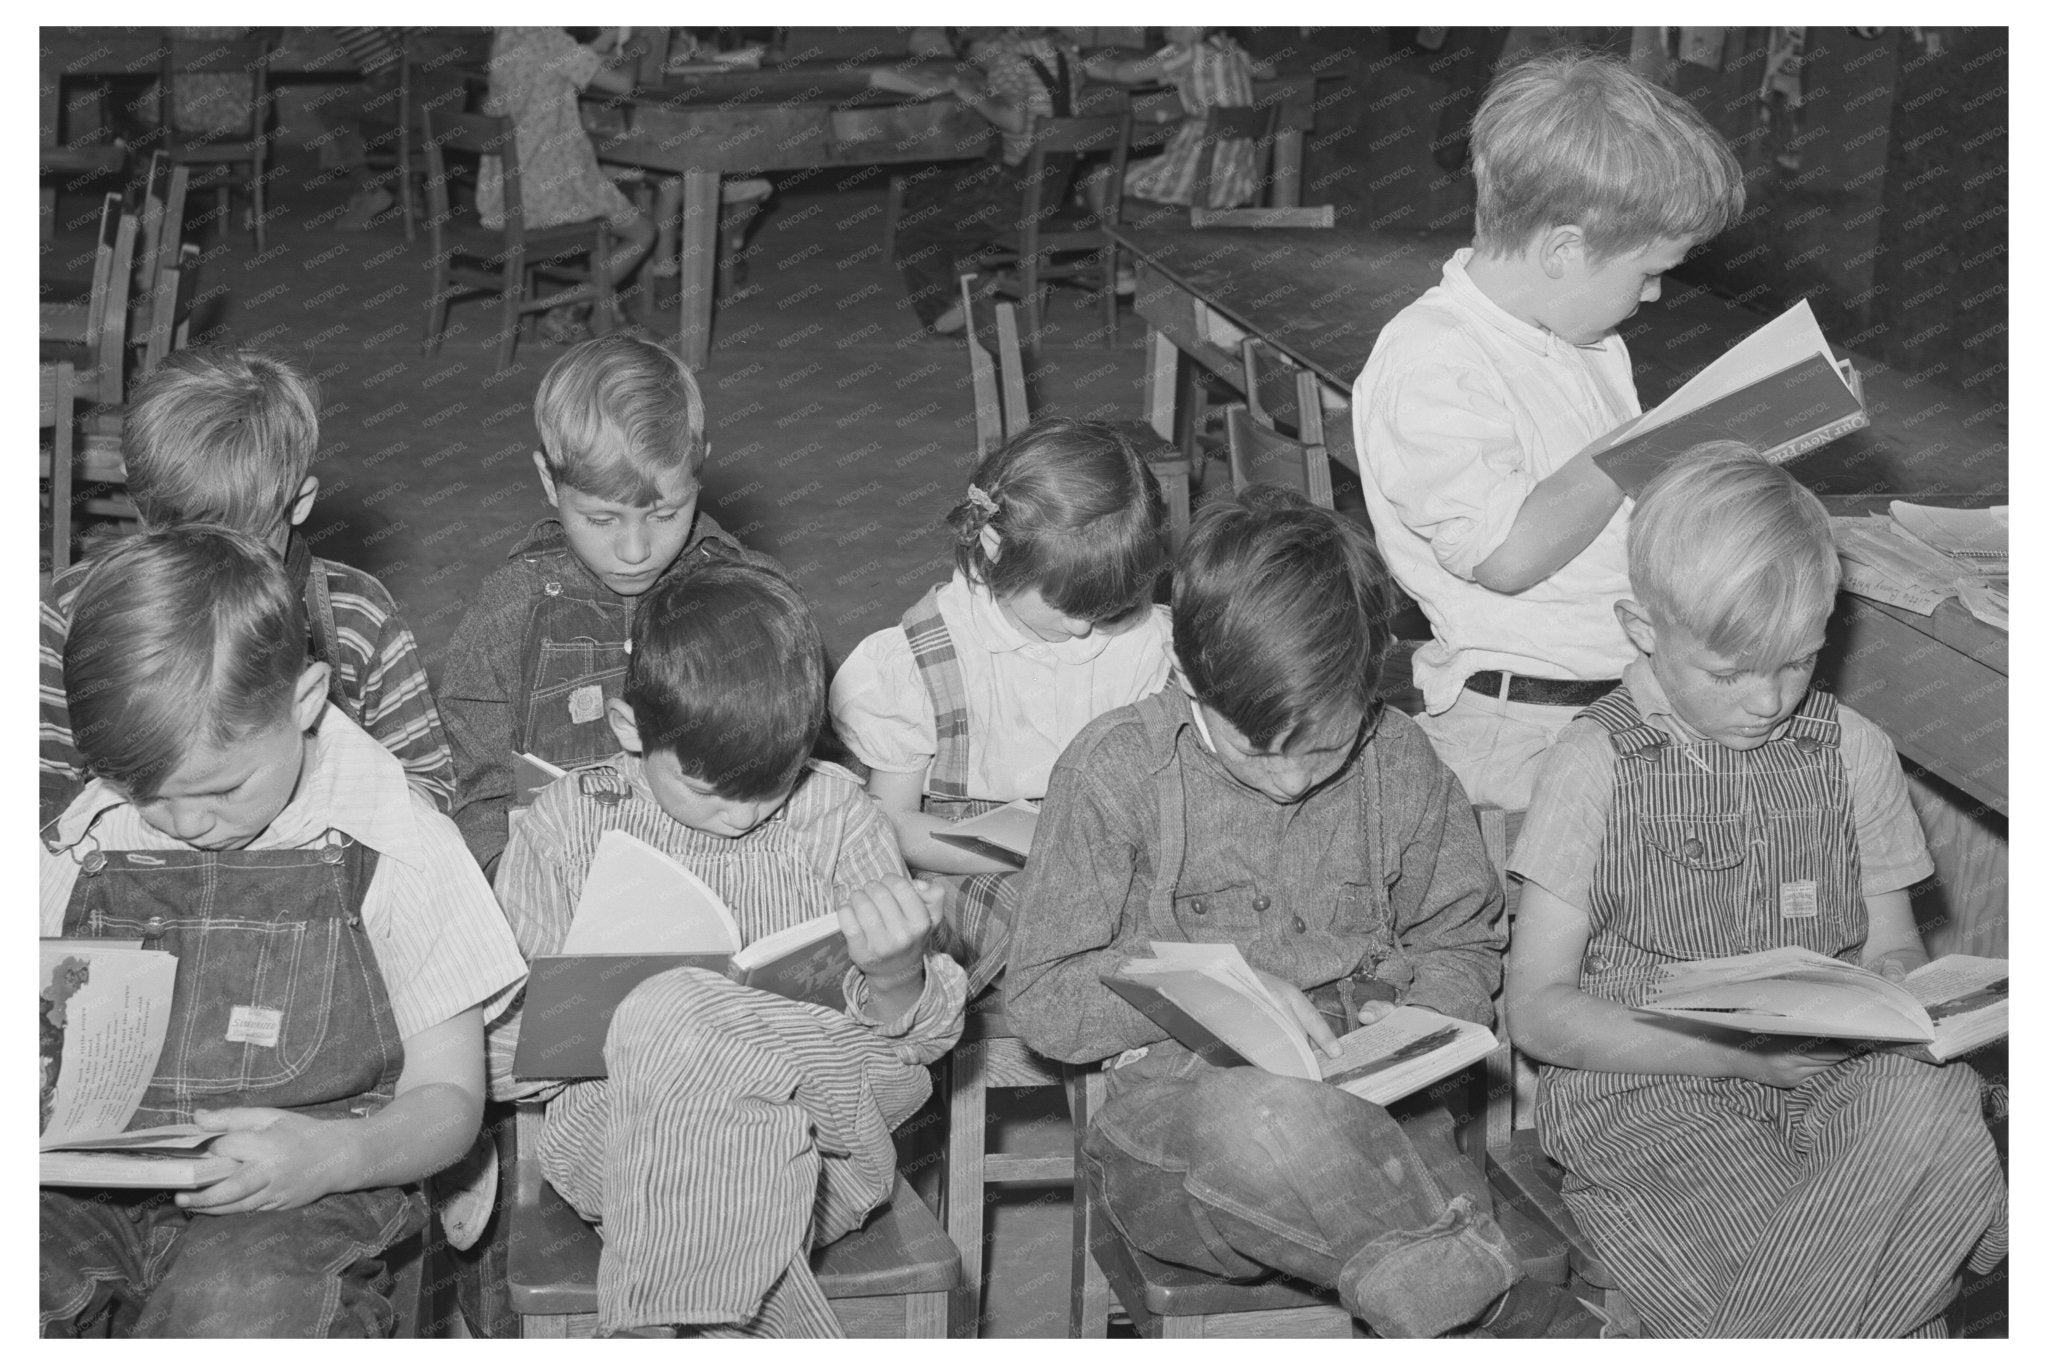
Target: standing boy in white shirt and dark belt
{"points": [[1480, 400]]}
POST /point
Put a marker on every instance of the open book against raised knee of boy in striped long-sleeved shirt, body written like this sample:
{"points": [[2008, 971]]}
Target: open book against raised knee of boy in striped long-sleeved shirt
{"points": [[644, 914]]}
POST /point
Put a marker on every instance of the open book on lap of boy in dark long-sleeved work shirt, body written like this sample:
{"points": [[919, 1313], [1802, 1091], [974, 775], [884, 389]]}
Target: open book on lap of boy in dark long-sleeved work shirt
{"points": [[1213, 1004]]}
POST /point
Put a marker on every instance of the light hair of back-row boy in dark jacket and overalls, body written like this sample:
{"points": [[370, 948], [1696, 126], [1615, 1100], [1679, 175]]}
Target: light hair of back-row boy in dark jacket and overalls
{"points": [[617, 416]]}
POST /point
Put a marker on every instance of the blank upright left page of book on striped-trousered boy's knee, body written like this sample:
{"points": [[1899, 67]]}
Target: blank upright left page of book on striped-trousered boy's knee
{"points": [[642, 901]]}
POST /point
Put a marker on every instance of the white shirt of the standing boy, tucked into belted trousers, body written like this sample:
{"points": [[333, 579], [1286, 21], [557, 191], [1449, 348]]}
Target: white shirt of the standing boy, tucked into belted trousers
{"points": [[1461, 412]]}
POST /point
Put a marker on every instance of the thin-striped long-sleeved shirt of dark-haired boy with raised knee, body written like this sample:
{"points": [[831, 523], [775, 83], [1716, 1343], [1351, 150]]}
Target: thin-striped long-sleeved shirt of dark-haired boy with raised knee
{"points": [[828, 828]]}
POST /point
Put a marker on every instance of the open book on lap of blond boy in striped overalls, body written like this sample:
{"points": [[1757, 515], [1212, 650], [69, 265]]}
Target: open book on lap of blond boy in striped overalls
{"points": [[1940, 1012]]}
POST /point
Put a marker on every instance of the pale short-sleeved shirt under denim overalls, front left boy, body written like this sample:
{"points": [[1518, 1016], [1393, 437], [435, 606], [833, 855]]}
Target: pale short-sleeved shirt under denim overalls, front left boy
{"points": [[439, 938]]}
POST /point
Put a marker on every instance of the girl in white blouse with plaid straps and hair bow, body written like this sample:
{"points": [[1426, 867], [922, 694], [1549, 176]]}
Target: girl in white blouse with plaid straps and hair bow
{"points": [[1048, 623]]}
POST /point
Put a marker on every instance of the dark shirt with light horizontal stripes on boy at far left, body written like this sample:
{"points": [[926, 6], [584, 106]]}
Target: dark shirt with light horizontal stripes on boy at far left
{"points": [[378, 666]]}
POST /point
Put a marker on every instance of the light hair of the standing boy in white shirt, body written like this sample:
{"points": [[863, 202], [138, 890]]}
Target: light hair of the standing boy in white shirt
{"points": [[1572, 138]]}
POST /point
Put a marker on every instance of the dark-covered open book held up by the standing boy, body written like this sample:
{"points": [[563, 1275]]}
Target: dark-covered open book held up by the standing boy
{"points": [[1779, 390]]}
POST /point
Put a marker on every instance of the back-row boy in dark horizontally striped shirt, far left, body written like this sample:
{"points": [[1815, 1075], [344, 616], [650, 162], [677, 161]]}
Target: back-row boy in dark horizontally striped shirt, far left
{"points": [[228, 437]]}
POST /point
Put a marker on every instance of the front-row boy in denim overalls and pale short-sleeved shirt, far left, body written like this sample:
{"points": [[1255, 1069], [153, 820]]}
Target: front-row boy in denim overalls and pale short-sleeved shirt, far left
{"points": [[337, 957]]}
